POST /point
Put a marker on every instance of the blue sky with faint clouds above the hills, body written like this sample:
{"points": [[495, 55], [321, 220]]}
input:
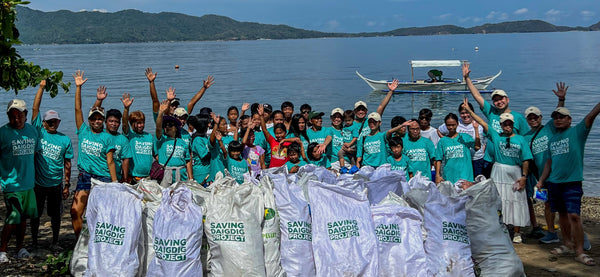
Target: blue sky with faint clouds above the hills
{"points": [[353, 15]]}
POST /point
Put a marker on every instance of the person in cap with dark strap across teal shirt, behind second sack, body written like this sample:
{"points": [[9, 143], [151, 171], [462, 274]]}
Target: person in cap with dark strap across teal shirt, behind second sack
{"points": [[173, 152]]}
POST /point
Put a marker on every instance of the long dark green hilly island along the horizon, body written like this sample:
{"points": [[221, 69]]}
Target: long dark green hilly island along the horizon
{"points": [[67, 27]]}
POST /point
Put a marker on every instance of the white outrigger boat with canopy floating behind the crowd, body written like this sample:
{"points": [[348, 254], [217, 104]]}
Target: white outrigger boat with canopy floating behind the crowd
{"points": [[447, 85]]}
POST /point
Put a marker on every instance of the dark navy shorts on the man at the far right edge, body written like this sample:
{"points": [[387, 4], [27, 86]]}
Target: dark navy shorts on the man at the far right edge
{"points": [[565, 197]]}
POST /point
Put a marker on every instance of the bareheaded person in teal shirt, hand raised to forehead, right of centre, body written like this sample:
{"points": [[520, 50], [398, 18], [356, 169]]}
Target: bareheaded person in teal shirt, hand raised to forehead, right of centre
{"points": [[418, 149]]}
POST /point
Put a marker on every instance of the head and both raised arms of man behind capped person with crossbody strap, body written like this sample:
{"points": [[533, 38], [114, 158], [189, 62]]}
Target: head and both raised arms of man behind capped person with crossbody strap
{"points": [[171, 96]]}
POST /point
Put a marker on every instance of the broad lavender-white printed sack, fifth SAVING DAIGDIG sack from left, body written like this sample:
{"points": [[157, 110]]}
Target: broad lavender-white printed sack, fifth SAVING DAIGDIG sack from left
{"points": [[344, 242]]}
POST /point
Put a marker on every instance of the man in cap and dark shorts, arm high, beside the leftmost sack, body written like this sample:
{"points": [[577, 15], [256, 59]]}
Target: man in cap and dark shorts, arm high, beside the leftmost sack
{"points": [[95, 157]]}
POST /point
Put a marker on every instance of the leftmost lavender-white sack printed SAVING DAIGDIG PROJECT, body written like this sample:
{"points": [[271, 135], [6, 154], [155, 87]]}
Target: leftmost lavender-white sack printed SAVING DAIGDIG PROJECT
{"points": [[114, 219]]}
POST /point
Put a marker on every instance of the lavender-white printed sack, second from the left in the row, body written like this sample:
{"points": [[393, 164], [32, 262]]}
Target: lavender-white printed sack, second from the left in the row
{"points": [[177, 235]]}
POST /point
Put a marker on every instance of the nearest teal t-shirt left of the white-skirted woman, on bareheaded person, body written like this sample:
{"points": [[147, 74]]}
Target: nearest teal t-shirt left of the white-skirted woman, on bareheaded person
{"points": [[455, 154]]}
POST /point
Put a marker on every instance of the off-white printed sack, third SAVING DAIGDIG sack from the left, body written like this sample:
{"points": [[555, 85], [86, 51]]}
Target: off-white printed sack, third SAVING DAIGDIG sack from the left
{"points": [[234, 229]]}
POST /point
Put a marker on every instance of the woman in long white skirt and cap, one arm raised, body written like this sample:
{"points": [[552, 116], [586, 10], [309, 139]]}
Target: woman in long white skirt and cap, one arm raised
{"points": [[512, 155]]}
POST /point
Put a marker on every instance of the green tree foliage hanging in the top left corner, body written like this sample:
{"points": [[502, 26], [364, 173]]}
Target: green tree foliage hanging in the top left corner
{"points": [[17, 73]]}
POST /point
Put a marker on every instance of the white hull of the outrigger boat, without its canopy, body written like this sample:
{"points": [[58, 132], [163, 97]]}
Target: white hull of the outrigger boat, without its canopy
{"points": [[424, 87]]}
